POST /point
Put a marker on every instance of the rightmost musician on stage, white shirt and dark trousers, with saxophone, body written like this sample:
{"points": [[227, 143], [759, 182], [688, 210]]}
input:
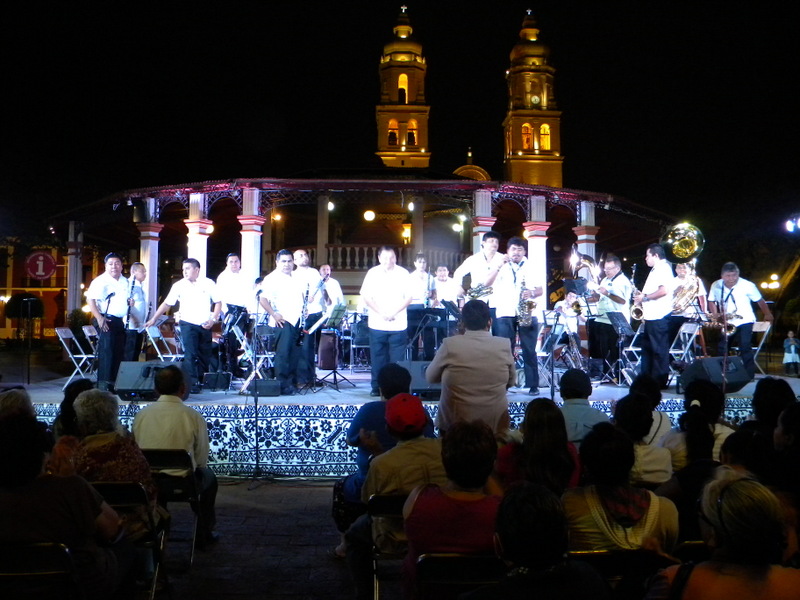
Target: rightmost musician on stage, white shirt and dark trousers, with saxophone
{"points": [[733, 296]]}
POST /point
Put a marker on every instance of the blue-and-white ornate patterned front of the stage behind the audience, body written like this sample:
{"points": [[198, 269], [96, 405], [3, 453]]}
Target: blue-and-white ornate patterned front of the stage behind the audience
{"points": [[304, 435]]}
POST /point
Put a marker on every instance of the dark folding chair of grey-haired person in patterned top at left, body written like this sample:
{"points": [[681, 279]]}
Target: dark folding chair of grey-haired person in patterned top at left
{"points": [[130, 498]]}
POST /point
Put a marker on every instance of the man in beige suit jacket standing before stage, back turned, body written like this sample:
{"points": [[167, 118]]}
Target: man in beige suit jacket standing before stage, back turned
{"points": [[475, 371]]}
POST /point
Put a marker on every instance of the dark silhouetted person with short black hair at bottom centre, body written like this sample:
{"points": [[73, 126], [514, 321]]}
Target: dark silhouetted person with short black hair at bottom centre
{"points": [[531, 537]]}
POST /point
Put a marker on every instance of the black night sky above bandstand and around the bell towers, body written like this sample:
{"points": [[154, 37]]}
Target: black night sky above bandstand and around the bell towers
{"points": [[690, 107]]}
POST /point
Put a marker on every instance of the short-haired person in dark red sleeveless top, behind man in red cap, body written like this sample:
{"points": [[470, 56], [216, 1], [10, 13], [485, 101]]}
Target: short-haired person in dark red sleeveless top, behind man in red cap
{"points": [[458, 516]]}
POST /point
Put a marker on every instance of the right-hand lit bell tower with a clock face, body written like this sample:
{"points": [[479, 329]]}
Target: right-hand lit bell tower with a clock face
{"points": [[532, 125]]}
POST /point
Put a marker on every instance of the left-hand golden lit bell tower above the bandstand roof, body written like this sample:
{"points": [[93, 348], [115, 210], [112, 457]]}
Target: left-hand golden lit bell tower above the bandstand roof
{"points": [[402, 114]]}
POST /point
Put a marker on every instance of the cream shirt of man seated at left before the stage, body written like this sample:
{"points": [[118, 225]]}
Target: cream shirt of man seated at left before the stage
{"points": [[171, 425]]}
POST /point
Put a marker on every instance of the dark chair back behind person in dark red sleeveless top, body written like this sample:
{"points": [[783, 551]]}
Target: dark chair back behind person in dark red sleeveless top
{"points": [[447, 575]]}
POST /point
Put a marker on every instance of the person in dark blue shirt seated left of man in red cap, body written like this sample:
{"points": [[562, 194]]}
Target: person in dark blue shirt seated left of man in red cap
{"points": [[368, 434]]}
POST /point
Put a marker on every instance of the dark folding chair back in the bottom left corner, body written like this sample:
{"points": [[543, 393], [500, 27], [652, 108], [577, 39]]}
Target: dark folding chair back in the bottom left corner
{"points": [[38, 572]]}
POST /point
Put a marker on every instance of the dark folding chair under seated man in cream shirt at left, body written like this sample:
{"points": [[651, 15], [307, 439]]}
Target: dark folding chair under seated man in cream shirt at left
{"points": [[173, 473]]}
